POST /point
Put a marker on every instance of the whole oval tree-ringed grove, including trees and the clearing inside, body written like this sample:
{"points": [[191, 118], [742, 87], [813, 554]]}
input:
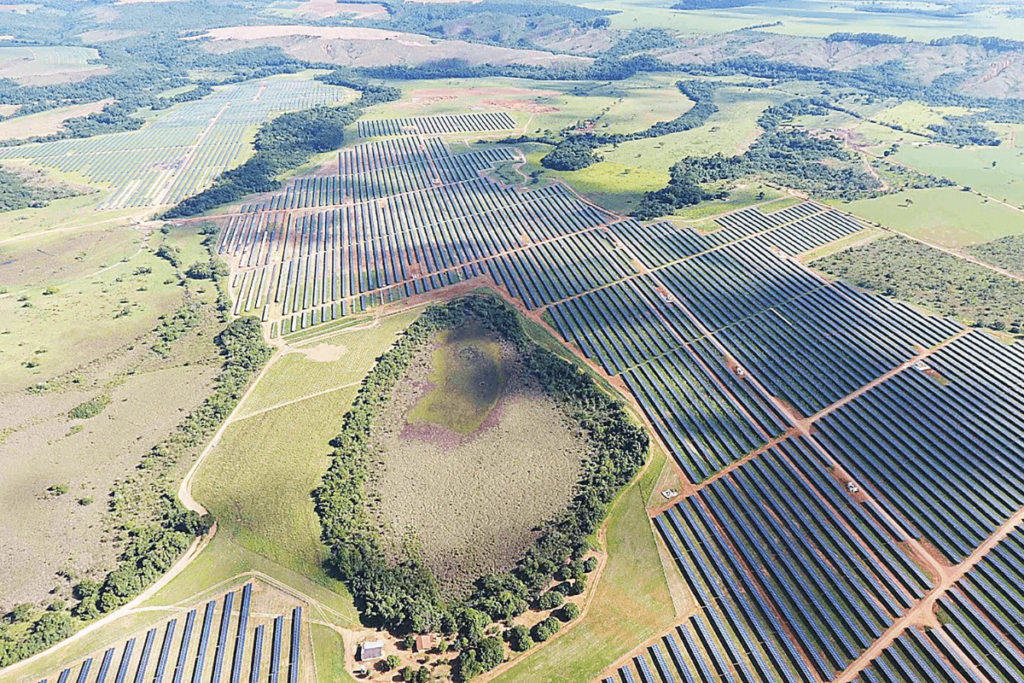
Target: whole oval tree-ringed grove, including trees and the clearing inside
{"points": [[534, 455]]}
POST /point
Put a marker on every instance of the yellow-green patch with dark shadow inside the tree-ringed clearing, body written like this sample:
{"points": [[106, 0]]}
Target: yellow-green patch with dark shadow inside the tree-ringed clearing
{"points": [[468, 380]]}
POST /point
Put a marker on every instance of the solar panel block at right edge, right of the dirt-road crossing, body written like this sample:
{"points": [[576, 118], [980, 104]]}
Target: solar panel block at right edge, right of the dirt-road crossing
{"points": [[942, 445]]}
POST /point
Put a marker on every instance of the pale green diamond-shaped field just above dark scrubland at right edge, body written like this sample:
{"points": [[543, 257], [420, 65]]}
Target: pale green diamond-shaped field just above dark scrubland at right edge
{"points": [[946, 217]]}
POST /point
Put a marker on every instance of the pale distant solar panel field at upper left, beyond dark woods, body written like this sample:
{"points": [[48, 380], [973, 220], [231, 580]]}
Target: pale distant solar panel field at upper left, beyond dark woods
{"points": [[179, 153]]}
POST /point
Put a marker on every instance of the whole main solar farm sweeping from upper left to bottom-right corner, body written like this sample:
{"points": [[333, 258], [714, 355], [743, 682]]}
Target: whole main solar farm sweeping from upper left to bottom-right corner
{"points": [[851, 466]]}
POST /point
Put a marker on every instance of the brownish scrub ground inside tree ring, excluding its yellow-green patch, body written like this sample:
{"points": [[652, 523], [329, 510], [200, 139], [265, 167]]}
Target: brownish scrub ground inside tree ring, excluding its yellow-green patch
{"points": [[474, 502]]}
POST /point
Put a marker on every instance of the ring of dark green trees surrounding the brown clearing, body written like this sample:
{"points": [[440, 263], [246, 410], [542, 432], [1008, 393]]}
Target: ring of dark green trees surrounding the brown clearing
{"points": [[403, 596]]}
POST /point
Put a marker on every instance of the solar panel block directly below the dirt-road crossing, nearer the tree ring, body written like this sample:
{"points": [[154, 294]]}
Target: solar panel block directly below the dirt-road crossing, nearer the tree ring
{"points": [[779, 541]]}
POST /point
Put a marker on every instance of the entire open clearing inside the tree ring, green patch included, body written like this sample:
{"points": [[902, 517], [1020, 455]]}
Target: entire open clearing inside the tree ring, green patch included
{"points": [[474, 456]]}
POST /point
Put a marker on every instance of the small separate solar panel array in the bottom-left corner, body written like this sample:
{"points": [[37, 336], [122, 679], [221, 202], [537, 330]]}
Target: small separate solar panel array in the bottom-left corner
{"points": [[214, 642]]}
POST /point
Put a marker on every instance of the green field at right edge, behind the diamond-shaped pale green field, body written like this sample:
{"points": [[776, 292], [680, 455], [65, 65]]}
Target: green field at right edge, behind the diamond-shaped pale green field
{"points": [[998, 173]]}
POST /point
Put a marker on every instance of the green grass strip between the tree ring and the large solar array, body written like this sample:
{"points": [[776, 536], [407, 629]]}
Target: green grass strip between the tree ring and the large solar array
{"points": [[632, 604]]}
